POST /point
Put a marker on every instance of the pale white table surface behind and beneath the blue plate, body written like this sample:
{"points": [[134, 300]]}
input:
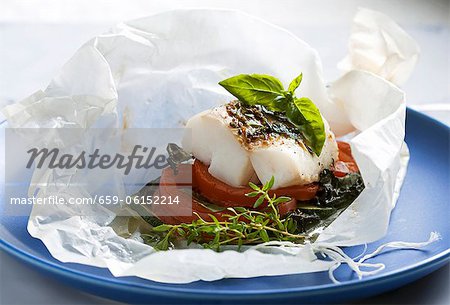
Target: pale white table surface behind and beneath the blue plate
{"points": [[37, 37]]}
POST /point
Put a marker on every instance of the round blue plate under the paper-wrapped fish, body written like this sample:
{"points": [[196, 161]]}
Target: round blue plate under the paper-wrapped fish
{"points": [[422, 207]]}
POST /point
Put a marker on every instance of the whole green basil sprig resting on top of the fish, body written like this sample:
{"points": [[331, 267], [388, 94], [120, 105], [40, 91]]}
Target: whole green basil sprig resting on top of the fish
{"points": [[268, 91]]}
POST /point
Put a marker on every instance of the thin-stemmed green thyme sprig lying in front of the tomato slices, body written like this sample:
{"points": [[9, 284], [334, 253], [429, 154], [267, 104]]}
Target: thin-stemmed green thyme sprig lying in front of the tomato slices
{"points": [[240, 227]]}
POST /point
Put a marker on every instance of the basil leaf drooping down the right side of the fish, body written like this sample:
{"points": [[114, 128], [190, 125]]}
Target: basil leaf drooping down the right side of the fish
{"points": [[303, 113]]}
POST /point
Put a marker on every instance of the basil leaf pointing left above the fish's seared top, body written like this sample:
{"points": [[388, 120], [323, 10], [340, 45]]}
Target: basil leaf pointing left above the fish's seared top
{"points": [[255, 89]]}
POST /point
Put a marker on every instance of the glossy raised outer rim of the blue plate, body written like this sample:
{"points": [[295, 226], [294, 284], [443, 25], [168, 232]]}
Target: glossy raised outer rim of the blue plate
{"points": [[192, 293]]}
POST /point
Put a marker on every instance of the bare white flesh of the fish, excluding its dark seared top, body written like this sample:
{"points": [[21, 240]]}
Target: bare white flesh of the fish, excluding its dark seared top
{"points": [[213, 139]]}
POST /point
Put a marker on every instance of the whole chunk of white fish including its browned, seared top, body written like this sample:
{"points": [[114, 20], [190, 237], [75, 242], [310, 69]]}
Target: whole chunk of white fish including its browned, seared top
{"points": [[242, 144]]}
